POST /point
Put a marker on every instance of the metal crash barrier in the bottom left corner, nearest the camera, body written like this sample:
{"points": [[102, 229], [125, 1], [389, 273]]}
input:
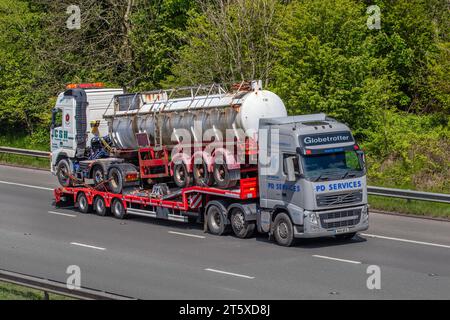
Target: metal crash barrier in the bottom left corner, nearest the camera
{"points": [[55, 287]]}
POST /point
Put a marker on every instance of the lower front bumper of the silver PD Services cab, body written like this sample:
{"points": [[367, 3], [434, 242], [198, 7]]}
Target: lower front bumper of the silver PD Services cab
{"points": [[333, 222]]}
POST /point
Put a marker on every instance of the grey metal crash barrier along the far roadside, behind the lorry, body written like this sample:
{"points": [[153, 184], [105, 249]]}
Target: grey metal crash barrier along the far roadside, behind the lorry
{"points": [[376, 191]]}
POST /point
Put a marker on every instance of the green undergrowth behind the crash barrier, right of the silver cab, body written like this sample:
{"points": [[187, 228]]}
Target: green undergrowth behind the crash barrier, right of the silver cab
{"points": [[410, 151]]}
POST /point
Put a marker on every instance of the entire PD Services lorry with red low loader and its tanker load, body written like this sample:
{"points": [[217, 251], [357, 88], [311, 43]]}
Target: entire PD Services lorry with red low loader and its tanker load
{"points": [[287, 176]]}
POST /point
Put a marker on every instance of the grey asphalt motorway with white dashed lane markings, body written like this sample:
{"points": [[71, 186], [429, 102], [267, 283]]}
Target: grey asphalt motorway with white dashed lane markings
{"points": [[152, 259]]}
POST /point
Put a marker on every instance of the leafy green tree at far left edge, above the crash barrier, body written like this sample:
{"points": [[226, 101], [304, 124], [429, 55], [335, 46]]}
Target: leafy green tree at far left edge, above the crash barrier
{"points": [[20, 75]]}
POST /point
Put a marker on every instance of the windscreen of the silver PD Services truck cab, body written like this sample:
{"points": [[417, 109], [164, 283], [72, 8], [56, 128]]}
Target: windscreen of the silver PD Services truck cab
{"points": [[328, 166]]}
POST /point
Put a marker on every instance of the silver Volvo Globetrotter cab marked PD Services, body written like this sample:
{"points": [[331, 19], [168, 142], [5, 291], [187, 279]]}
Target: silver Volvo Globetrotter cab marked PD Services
{"points": [[312, 171]]}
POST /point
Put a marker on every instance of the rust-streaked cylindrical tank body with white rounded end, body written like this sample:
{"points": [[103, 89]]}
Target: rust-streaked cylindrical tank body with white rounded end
{"points": [[140, 113]]}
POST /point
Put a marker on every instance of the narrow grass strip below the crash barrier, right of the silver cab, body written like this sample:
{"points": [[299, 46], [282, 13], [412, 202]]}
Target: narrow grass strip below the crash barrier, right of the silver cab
{"points": [[414, 207]]}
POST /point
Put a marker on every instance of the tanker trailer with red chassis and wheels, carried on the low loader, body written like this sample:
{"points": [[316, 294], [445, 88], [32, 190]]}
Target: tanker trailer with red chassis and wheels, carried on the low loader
{"points": [[173, 131]]}
